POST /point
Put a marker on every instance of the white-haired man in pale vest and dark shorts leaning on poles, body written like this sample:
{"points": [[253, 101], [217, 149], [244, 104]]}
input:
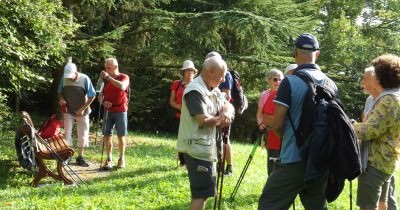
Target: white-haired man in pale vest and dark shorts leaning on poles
{"points": [[204, 107]]}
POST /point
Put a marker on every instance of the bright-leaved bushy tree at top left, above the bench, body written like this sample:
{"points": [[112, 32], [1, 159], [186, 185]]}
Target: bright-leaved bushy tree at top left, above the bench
{"points": [[32, 35]]}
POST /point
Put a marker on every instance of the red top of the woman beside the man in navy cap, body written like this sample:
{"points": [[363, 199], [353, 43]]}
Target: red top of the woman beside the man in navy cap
{"points": [[273, 141]]}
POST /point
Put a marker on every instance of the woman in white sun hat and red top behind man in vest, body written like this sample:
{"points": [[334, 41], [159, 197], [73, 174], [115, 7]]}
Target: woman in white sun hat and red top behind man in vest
{"points": [[188, 72]]}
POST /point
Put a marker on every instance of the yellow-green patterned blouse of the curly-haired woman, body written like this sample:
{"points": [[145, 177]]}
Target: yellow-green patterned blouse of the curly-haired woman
{"points": [[382, 128]]}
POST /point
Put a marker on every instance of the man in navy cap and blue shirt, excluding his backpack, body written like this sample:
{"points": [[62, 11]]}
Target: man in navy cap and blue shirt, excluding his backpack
{"points": [[287, 180]]}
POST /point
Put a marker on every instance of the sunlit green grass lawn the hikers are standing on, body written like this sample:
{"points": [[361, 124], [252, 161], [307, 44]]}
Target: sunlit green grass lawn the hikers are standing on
{"points": [[151, 180]]}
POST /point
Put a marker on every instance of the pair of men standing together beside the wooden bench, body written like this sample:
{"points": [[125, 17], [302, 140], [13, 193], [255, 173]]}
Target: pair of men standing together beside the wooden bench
{"points": [[75, 94]]}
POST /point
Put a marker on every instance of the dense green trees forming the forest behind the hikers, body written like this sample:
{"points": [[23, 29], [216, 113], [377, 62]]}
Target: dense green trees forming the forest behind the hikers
{"points": [[151, 39]]}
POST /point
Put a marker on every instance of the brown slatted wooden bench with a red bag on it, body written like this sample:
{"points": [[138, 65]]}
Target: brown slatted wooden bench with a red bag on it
{"points": [[54, 148]]}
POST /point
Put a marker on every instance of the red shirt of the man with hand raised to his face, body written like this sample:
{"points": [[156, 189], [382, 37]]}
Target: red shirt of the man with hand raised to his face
{"points": [[118, 97]]}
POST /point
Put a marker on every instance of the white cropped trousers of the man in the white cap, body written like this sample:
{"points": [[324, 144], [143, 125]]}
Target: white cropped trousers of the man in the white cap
{"points": [[82, 128]]}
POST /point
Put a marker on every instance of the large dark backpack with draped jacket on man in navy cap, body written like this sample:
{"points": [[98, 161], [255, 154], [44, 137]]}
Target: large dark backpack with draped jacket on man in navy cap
{"points": [[326, 138]]}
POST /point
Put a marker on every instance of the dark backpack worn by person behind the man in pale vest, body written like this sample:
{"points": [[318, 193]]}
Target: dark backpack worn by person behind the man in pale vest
{"points": [[239, 99]]}
